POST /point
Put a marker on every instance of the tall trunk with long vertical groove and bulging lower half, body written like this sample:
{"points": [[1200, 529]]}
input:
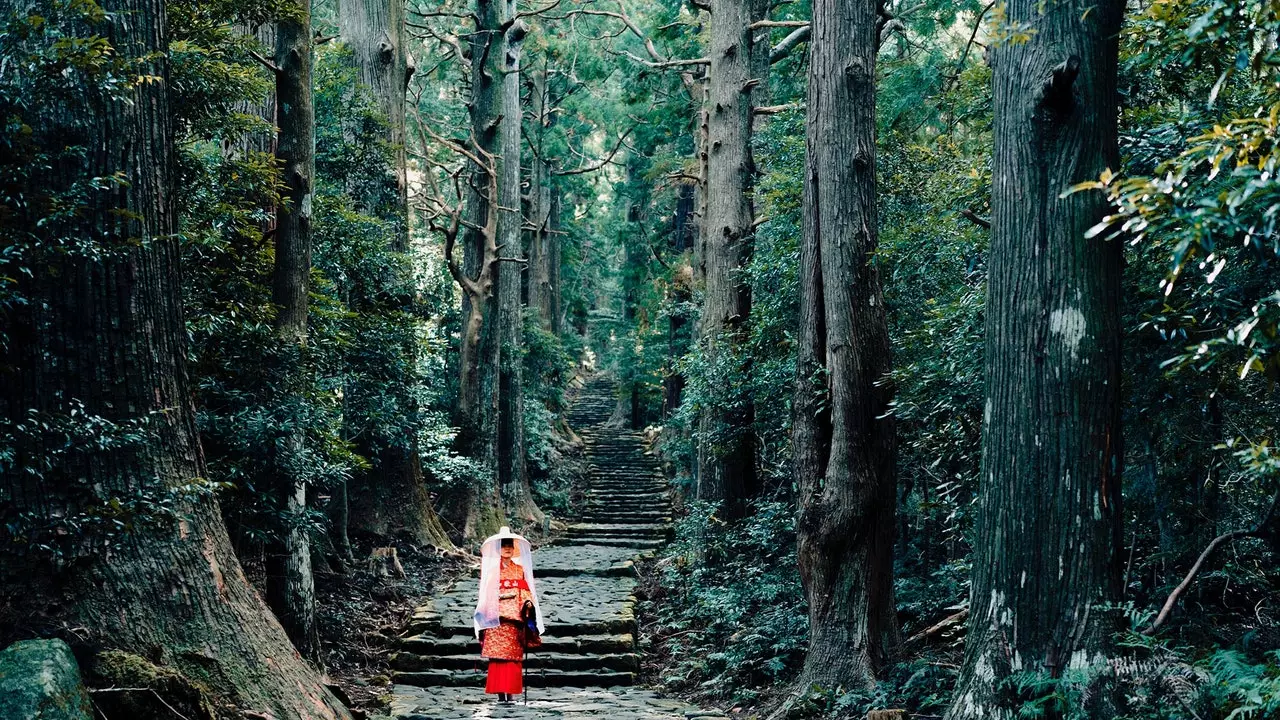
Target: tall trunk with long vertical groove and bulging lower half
{"points": [[843, 440]]}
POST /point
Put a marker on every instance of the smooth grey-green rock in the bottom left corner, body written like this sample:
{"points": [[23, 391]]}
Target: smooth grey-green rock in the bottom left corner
{"points": [[40, 681]]}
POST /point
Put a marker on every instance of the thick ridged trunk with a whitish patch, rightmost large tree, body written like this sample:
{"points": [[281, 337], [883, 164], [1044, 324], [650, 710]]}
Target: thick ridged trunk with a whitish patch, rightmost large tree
{"points": [[1049, 514]]}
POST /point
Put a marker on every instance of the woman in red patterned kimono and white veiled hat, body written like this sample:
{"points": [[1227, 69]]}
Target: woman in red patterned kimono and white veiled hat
{"points": [[508, 604]]}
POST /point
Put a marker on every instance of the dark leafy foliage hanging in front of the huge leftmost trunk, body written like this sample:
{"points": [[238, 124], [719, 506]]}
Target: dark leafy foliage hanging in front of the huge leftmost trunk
{"points": [[58, 67]]}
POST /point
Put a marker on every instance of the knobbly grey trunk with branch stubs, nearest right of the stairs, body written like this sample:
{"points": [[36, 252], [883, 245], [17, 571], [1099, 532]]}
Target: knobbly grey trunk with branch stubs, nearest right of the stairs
{"points": [[726, 466]]}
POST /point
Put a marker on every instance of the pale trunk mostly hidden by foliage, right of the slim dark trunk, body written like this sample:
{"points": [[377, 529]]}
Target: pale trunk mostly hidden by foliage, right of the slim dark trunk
{"points": [[392, 496]]}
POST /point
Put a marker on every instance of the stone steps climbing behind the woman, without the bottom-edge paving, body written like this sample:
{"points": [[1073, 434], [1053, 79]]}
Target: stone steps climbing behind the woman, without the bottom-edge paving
{"points": [[586, 580]]}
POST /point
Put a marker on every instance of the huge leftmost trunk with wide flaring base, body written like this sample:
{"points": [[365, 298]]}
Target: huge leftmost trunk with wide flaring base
{"points": [[104, 338]]}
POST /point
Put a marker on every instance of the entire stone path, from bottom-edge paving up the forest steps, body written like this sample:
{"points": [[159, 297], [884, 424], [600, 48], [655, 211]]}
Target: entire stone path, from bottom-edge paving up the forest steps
{"points": [[587, 584]]}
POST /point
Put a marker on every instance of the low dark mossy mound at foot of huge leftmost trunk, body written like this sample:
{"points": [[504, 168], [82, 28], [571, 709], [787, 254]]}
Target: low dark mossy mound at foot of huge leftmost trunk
{"points": [[135, 687]]}
